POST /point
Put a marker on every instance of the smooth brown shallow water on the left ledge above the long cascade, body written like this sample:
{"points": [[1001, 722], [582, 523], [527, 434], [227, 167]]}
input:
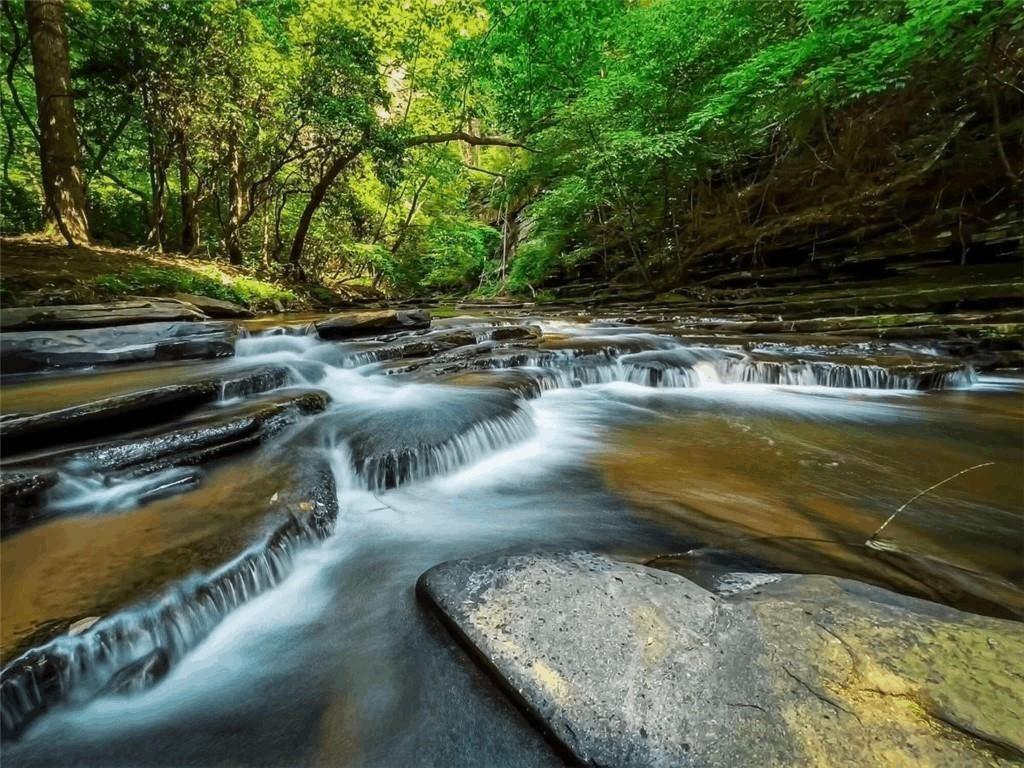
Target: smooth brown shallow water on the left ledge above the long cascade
{"points": [[77, 567]]}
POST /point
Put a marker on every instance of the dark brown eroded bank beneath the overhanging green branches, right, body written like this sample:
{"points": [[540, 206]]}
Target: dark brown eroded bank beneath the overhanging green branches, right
{"points": [[905, 181]]}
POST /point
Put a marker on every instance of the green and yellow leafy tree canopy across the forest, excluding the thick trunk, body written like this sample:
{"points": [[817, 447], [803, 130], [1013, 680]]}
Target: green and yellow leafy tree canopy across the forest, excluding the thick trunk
{"points": [[242, 108]]}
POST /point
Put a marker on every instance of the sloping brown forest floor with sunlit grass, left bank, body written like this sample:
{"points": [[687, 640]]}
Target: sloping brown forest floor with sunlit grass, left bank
{"points": [[35, 271]]}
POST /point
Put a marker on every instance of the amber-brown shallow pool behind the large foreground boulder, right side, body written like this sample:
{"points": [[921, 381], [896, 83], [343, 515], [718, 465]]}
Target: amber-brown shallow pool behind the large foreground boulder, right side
{"points": [[805, 494]]}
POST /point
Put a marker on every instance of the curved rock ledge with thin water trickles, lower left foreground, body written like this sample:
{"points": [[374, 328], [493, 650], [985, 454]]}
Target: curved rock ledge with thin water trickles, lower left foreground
{"points": [[163, 630]]}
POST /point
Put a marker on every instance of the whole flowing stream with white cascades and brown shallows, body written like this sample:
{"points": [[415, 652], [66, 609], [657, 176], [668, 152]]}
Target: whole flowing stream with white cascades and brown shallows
{"points": [[626, 441]]}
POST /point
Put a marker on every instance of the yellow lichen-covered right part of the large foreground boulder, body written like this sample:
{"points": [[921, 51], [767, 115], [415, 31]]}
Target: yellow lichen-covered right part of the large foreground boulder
{"points": [[904, 690]]}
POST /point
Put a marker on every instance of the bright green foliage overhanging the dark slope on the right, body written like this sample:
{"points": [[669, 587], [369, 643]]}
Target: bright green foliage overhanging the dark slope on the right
{"points": [[680, 92]]}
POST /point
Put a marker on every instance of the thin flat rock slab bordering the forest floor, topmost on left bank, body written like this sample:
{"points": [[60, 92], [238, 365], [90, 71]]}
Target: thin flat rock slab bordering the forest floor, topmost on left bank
{"points": [[126, 313]]}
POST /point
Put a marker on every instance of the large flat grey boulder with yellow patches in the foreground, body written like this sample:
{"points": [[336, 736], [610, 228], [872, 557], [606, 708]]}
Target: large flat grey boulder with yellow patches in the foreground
{"points": [[628, 666]]}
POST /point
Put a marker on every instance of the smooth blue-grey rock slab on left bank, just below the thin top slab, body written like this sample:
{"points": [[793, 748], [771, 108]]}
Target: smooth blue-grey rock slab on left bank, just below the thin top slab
{"points": [[30, 352]]}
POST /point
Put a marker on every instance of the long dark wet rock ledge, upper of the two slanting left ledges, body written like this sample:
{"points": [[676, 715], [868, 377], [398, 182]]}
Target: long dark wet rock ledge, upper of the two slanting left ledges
{"points": [[136, 409]]}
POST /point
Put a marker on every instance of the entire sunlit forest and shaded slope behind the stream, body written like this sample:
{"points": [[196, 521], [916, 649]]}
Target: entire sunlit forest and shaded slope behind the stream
{"points": [[509, 147]]}
